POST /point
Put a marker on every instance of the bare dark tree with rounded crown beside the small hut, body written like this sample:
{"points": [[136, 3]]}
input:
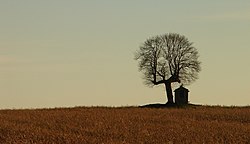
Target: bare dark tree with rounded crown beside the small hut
{"points": [[166, 59]]}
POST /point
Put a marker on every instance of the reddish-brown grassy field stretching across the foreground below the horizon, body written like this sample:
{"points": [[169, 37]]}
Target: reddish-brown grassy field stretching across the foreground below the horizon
{"points": [[80, 125]]}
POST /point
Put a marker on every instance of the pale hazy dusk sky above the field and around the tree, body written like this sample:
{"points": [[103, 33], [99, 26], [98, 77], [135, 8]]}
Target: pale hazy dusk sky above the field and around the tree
{"points": [[61, 53]]}
